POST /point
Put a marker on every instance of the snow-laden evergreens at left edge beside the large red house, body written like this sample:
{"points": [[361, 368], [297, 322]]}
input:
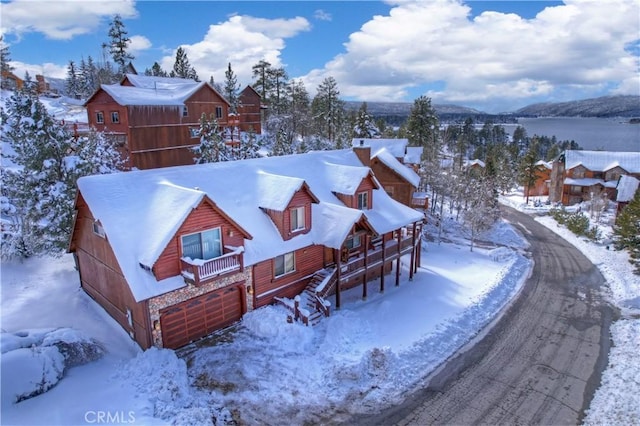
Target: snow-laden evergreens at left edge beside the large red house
{"points": [[40, 190]]}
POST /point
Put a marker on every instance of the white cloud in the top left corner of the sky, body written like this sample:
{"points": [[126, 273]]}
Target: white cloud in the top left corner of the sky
{"points": [[60, 19]]}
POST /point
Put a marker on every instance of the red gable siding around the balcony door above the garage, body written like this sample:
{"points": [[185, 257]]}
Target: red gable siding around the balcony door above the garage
{"points": [[203, 217]]}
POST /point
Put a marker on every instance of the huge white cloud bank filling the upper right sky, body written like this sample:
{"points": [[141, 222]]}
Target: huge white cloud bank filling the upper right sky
{"points": [[578, 46]]}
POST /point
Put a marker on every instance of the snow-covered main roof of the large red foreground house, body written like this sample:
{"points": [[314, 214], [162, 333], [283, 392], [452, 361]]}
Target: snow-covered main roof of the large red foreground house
{"points": [[140, 211]]}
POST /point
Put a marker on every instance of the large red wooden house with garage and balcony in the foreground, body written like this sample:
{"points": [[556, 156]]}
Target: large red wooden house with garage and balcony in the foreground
{"points": [[176, 253]]}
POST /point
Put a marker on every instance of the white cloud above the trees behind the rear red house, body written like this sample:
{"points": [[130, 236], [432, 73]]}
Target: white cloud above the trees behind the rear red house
{"points": [[242, 41]]}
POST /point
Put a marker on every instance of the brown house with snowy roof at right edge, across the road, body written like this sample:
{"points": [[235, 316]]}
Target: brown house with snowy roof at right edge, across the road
{"points": [[576, 175]]}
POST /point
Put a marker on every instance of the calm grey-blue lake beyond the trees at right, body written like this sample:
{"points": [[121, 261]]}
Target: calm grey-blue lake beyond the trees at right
{"points": [[609, 134]]}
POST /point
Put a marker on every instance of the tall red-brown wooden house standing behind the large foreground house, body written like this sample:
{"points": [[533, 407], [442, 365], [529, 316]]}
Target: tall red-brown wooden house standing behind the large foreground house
{"points": [[156, 120]]}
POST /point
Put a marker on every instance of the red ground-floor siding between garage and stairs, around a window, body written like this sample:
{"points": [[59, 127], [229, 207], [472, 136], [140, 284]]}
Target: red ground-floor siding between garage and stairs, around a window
{"points": [[266, 286]]}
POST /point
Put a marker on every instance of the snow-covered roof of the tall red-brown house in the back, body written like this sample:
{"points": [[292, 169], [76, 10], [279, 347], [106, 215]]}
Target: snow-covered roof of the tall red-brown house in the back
{"points": [[170, 95]]}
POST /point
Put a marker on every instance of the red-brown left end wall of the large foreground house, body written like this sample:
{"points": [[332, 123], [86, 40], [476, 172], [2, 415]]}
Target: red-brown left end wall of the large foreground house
{"points": [[102, 279]]}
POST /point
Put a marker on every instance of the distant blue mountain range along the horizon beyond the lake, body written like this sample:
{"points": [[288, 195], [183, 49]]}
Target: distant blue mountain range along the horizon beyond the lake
{"points": [[606, 106]]}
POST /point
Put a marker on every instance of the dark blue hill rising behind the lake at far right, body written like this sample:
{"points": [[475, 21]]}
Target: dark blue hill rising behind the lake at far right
{"points": [[606, 106]]}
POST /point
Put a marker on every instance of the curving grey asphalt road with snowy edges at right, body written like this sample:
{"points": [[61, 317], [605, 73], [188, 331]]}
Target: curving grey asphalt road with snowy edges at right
{"points": [[539, 364]]}
